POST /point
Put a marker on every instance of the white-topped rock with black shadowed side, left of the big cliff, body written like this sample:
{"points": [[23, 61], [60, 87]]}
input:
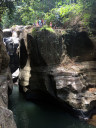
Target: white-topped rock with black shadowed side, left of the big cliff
{"points": [[11, 42]]}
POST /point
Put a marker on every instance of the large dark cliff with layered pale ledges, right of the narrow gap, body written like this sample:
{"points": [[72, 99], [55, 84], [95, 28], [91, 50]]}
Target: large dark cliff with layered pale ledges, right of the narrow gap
{"points": [[61, 64]]}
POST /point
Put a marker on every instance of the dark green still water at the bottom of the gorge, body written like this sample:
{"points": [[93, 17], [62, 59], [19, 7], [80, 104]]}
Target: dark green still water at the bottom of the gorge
{"points": [[30, 115]]}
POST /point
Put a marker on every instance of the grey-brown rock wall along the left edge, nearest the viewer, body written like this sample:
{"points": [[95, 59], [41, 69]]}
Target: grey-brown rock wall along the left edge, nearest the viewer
{"points": [[6, 116]]}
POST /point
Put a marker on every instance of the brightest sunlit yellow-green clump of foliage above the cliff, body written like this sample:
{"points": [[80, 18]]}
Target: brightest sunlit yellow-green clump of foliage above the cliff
{"points": [[63, 14]]}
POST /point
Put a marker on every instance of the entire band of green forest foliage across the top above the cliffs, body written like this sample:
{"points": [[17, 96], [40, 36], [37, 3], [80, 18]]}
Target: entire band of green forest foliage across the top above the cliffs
{"points": [[59, 12]]}
